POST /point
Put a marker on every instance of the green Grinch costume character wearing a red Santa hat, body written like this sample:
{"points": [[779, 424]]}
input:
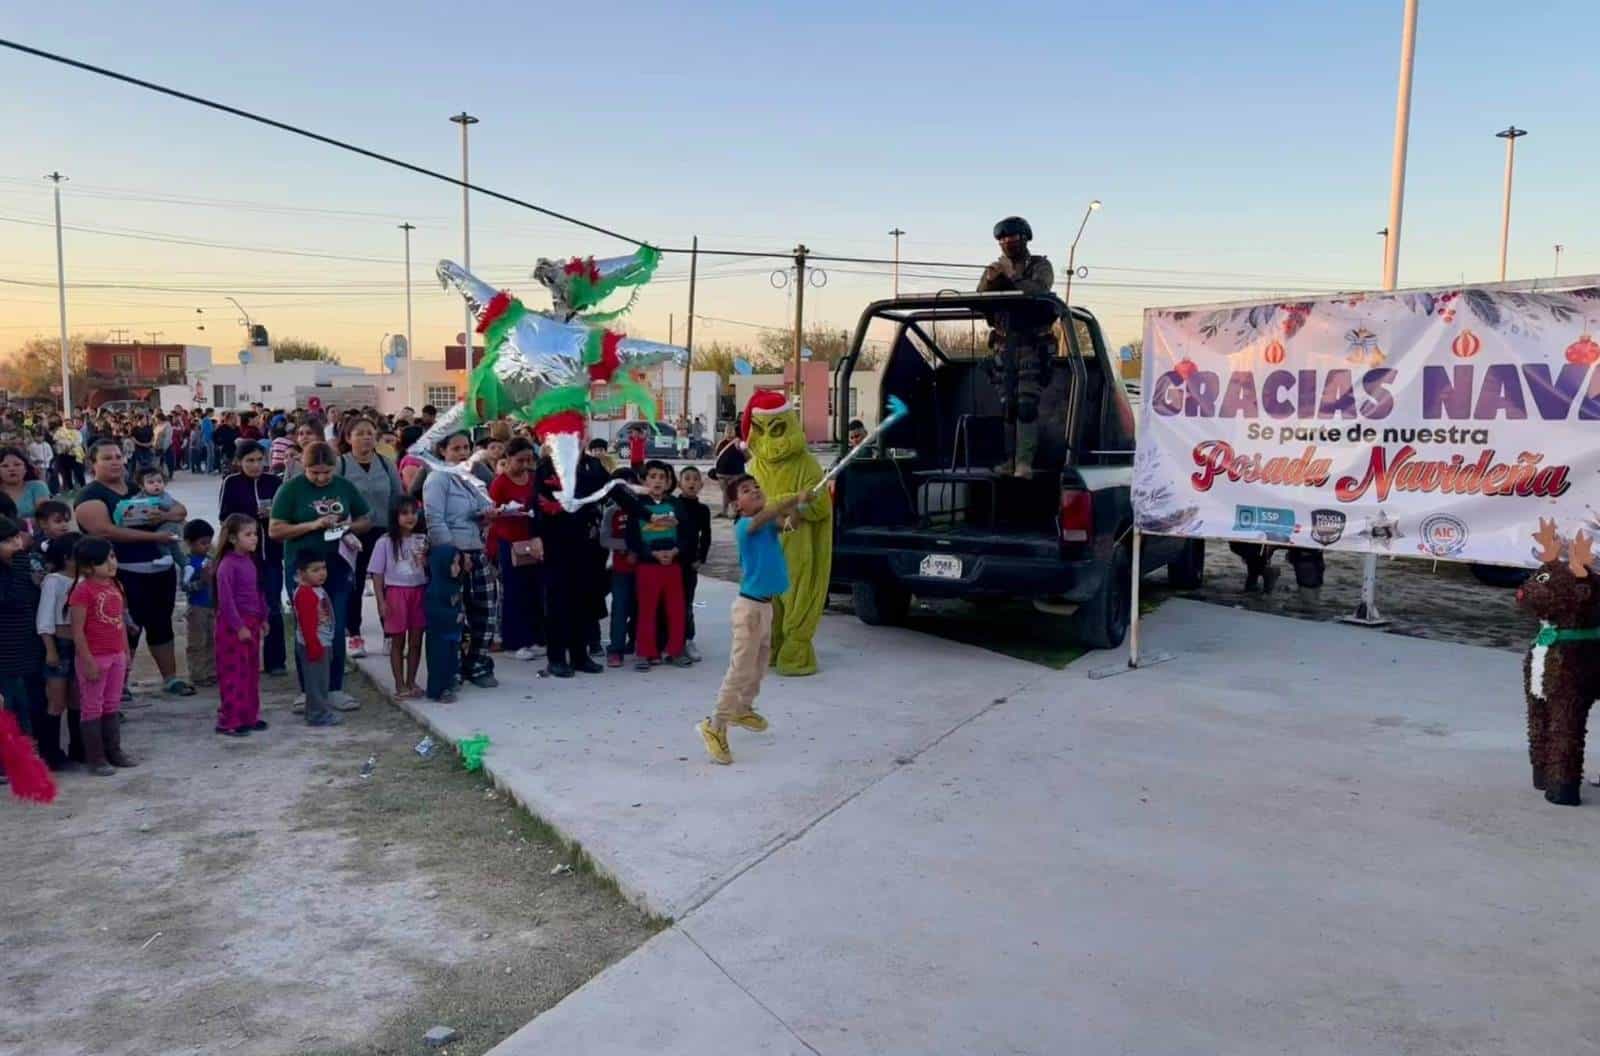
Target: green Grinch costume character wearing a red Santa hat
{"points": [[783, 466]]}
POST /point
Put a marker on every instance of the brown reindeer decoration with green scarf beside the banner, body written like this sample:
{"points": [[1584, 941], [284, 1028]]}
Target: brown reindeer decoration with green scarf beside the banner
{"points": [[1562, 670]]}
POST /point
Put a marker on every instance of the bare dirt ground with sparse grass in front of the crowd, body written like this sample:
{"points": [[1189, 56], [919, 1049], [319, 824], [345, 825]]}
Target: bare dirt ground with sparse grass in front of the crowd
{"points": [[258, 897]]}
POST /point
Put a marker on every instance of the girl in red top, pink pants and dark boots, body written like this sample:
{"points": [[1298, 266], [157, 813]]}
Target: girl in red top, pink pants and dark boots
{"points": [[100, 644]]}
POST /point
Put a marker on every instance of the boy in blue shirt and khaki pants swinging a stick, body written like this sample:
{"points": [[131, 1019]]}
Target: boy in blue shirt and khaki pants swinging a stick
{"points": [[762, 577]]}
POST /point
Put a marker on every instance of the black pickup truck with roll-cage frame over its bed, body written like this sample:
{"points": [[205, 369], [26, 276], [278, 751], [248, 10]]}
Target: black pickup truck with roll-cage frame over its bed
{"points": [[927, 514]]}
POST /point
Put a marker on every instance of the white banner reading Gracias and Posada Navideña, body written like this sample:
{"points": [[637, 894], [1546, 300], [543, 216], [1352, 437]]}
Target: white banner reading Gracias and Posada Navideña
{"points": [[1439, 423]]}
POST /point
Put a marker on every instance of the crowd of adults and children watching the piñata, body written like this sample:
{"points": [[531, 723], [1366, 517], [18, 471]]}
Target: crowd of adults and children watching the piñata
{"points": [[471, 558]]}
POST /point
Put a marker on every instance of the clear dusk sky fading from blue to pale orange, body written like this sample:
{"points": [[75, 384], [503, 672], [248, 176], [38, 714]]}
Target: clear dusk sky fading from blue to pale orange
{"points": [[1239, 150]]}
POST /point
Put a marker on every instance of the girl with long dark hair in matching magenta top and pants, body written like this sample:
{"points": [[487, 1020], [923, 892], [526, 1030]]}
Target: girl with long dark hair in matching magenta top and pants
{"points": [[241, 628]]}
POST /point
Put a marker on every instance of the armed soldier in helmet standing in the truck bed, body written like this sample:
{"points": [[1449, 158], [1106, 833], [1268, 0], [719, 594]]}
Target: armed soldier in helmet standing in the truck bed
{"points": [[1022, 345]]}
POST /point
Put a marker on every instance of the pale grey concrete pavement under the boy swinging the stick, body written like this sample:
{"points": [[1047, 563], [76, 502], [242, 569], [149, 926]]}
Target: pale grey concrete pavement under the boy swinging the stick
{"points": [[1294, 839]]}
